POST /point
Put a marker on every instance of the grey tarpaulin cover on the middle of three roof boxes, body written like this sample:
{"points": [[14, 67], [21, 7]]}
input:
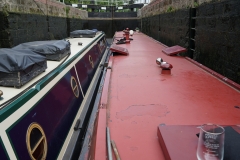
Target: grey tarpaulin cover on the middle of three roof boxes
{"points": [[53, 49]]}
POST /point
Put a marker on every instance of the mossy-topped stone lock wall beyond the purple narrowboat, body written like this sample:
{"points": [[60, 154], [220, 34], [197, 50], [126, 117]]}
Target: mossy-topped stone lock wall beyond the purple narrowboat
{"points": [[28, 20]]}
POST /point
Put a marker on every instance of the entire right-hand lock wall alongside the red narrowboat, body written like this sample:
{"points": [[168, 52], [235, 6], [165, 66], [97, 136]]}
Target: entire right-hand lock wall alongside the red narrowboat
{"points": [[210, 30]]}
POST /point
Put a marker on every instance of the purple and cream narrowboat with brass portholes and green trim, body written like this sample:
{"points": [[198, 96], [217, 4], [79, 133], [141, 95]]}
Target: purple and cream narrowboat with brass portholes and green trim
{"points": [[43, 117]]}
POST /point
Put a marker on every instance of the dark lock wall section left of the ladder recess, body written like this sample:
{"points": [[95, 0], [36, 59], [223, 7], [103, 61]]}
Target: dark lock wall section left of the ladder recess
{"points": [[168, 28]]}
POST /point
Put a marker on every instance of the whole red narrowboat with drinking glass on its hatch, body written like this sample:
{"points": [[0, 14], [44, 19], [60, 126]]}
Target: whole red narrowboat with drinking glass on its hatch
{"points": [[153, 101]]}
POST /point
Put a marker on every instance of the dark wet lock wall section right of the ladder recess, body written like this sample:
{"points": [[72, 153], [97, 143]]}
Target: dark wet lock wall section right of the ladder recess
{"points": [[217, 43]]}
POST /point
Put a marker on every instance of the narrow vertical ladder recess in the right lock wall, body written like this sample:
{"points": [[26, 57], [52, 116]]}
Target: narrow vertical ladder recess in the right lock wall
{"points": [[192, 29]]}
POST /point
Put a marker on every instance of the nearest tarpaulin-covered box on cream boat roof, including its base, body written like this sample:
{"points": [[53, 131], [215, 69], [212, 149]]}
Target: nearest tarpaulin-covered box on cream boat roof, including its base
{"points": [[17, 67]]}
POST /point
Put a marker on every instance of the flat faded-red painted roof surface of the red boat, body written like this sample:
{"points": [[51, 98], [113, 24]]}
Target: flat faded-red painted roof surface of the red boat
{"points": [[140, 98]]}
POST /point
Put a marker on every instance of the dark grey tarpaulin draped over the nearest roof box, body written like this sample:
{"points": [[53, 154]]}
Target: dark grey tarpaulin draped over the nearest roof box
{"points": [[17, 60]]}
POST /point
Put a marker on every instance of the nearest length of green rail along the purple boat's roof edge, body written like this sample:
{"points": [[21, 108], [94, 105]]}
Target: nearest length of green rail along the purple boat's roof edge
{"points": [[9, 109]]}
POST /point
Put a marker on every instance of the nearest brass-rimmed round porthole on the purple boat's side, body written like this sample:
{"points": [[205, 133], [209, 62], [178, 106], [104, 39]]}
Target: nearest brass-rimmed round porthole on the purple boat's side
{"points": [[36, 142]]}
